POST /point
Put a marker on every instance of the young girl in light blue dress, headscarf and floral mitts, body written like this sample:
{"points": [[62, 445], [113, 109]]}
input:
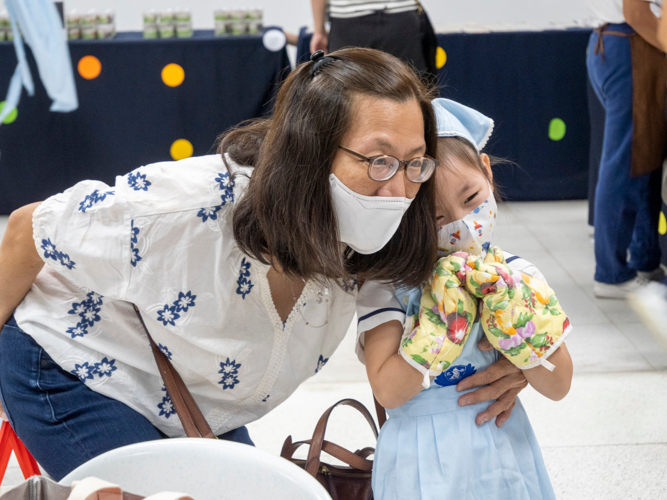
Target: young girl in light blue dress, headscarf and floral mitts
{"points": [[430, 448]]}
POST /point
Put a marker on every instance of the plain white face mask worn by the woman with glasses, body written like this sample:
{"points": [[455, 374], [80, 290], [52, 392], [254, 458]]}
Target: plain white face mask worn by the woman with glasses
{"points": [[366, 223]]}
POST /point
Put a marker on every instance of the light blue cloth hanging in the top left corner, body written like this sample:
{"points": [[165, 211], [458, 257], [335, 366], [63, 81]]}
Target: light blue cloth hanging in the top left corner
{"points": [[41, 27]]}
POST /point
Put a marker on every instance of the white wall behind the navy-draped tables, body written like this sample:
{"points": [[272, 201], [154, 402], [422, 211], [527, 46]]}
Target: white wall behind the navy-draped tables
{"points": [[292, 14]]}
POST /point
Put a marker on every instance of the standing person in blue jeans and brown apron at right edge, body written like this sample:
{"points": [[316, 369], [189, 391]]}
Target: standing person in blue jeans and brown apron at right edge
{"points": [[628, 70]]}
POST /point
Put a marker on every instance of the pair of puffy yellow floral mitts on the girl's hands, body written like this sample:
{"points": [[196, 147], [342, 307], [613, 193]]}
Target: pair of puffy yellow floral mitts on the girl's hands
{"points": [[520, 315]]}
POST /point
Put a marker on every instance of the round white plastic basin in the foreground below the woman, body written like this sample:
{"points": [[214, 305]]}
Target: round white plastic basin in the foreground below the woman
{"points": [[206, 469]]}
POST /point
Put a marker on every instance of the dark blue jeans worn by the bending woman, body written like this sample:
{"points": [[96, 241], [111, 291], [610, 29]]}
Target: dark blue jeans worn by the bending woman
{"points": [[61, 421]]}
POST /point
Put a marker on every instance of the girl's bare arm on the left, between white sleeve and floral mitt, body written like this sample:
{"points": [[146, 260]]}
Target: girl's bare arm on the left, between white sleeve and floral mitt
{"points": [[393, 381]]}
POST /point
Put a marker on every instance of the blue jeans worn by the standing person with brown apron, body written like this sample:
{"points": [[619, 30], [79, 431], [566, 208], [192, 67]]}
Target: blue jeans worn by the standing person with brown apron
{"points": [[626, 208]]}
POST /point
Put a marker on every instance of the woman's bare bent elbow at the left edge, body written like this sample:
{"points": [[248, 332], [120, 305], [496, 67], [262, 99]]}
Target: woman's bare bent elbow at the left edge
{"points": [[19, 261]]}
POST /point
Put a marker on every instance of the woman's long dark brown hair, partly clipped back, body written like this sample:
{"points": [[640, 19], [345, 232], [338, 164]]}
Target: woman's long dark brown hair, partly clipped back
{"points": [[286, 215]]}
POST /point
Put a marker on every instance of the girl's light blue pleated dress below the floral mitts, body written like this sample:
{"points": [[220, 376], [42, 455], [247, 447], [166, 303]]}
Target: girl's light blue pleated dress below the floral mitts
{"points": [[431, 448]]}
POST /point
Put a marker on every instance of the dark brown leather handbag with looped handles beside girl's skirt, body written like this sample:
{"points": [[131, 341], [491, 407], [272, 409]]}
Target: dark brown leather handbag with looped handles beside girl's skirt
{"points": [[351, 481]]}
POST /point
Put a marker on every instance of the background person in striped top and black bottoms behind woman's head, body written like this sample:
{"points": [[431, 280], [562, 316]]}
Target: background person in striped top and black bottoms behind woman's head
{"points": [[393, 26]]}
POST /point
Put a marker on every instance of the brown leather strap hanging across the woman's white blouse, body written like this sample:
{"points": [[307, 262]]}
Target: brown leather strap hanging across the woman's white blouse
{"points": [[193, 421]]}
